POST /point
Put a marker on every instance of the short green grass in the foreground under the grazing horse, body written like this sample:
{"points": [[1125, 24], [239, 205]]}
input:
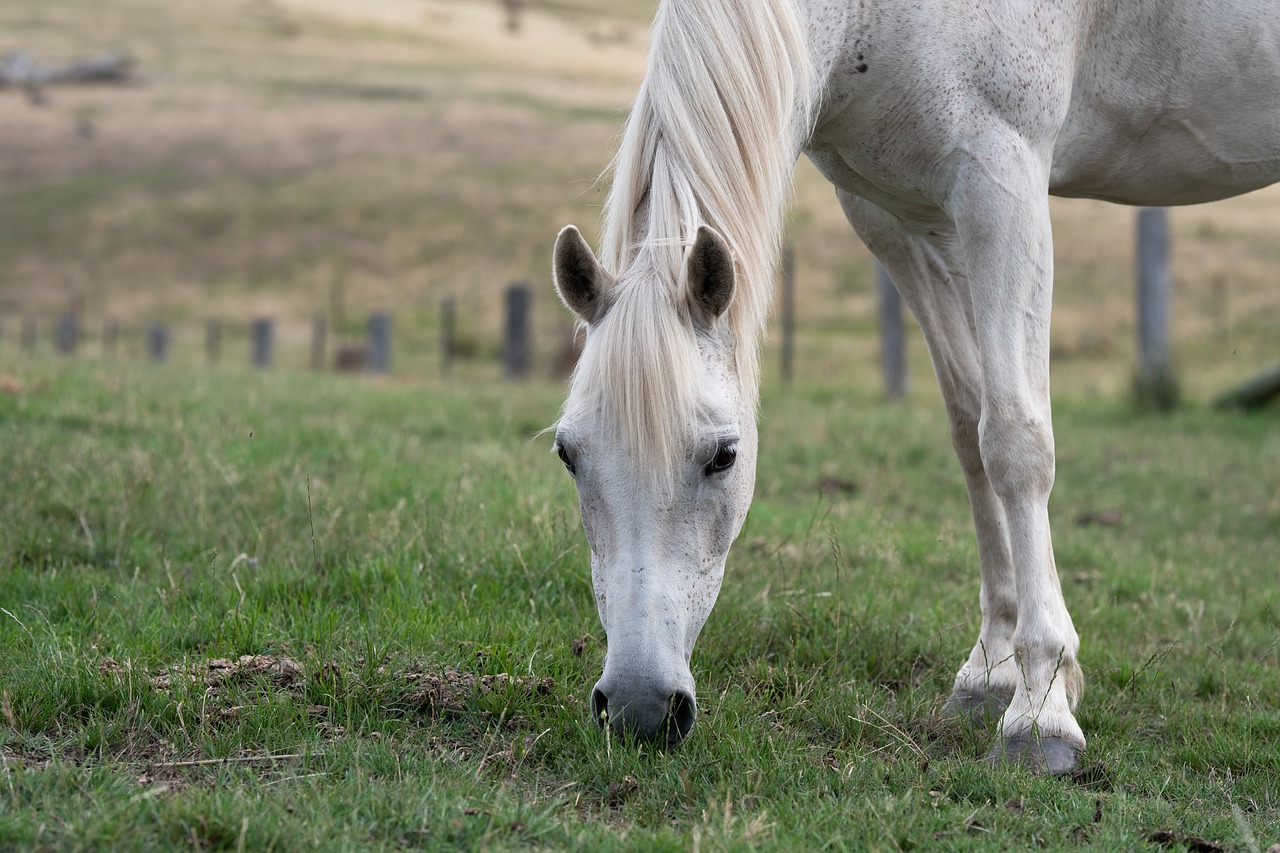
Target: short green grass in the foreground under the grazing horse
{"points": [[380, 536]]}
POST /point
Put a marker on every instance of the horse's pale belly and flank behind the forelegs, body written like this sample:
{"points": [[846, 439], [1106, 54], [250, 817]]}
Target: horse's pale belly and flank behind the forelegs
{"points": [[1188, 115]]}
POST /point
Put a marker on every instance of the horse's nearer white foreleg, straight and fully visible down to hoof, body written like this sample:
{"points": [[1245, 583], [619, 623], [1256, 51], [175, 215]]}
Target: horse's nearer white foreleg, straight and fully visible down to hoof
{"points": [[1002, 212]]}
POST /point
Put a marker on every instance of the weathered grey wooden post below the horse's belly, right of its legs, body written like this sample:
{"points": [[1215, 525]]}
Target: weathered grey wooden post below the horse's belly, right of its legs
{"points": [[1155, 386]]}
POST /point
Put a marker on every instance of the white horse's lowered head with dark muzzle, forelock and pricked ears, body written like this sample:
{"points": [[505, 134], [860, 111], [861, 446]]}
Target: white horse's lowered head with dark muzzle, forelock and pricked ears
{"points": [[660, 439]]}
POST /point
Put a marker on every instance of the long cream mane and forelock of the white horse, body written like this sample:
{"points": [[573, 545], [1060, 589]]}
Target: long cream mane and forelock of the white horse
{"points": [[711, 139]]}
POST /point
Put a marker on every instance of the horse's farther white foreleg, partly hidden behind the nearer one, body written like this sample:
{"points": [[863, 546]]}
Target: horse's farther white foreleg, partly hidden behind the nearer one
{"points": [[927, 272]]}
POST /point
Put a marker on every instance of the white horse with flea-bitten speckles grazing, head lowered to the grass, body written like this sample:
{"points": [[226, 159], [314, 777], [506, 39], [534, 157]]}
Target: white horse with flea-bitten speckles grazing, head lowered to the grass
{"points": [[944, 127]]}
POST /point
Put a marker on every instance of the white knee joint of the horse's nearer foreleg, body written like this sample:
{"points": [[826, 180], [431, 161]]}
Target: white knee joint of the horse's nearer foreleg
{"points": [[1017, 454]]}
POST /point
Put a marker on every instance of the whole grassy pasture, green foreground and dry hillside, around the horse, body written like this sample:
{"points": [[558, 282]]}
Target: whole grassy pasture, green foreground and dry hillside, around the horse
{"points": [[291, 610]]}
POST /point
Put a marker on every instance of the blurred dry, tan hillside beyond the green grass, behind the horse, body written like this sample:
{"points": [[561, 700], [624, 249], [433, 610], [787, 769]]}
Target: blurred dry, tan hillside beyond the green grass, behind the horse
{"points": [[308, 165]]}
